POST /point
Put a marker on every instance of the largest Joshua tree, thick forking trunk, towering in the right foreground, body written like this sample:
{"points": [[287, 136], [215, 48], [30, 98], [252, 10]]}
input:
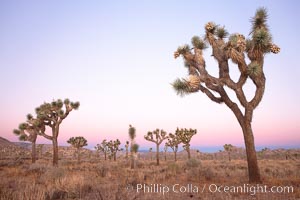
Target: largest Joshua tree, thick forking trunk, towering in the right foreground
{"points": [[234, 49]]}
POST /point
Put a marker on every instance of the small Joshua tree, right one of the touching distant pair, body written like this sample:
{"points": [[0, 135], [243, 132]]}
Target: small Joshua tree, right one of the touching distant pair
{"points": [[185, 136]]}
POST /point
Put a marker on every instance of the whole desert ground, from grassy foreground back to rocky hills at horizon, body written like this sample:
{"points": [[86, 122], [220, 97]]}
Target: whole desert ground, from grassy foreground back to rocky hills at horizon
{"points": [[204, 176]]}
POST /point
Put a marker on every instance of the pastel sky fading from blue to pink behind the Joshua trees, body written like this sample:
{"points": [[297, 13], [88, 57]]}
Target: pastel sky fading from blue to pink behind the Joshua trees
{"points": [[116, 58]]}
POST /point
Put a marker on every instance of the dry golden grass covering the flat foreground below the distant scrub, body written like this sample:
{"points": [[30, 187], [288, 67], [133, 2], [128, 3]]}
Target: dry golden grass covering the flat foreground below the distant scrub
{"points": [[99, 179]]}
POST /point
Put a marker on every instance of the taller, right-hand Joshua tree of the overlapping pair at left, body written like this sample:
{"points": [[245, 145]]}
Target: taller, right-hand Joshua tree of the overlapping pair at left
{"points": [[52, 115]]}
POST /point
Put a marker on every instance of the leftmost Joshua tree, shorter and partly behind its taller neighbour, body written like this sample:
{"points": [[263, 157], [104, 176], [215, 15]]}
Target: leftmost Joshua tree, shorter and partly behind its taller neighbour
{"points": [[29, 132]]}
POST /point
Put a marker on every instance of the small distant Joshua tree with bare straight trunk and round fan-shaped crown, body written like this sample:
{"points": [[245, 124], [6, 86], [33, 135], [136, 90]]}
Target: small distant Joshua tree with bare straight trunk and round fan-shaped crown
{"points": [[157, 136]]}
